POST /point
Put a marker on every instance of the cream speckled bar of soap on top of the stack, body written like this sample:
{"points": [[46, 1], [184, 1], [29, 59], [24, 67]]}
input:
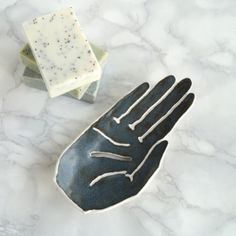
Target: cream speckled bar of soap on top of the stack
{"points": [[63, 54]]}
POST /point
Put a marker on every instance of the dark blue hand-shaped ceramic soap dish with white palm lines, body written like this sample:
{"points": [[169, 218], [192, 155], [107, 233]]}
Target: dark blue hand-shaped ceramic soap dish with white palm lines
{"points": [[115, 157]]}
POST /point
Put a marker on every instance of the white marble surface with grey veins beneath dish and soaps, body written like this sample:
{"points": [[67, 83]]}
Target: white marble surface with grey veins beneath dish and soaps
{"points": [[194, 192]]}
